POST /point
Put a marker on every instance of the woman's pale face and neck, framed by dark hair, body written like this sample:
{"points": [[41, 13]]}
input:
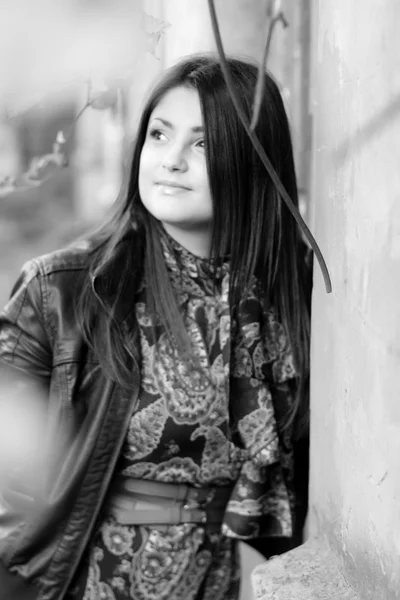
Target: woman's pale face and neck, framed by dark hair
{"points": [[173, 180]]}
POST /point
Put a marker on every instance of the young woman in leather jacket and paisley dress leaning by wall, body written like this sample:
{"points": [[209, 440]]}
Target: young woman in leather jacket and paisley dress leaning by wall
{"points": [[167, 358]]}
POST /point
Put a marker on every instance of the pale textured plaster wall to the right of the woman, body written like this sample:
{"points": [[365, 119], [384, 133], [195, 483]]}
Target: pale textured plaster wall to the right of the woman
{"points": [[355, 448]]}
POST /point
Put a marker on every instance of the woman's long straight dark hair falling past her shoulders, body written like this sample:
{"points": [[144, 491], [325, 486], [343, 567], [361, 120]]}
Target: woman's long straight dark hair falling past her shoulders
{"points": [[250, 222]]}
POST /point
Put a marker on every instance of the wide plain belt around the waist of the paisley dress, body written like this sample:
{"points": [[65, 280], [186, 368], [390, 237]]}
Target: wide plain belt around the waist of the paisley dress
{"points": [[142, 502]]}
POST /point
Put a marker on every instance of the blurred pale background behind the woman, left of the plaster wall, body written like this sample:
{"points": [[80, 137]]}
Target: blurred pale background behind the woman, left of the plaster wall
{"points": [[73, 76]]}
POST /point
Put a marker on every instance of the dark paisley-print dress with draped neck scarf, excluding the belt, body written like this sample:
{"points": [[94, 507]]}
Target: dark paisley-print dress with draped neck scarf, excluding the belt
{"points": [[216, 425]]}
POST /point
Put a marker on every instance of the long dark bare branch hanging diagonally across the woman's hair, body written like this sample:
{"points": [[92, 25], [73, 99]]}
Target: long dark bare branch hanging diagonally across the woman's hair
{"points": [[260, 150]]}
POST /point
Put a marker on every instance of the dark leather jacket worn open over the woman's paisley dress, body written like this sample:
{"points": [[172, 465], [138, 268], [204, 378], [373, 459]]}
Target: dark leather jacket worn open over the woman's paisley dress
{"points": [[50, 501]]}
